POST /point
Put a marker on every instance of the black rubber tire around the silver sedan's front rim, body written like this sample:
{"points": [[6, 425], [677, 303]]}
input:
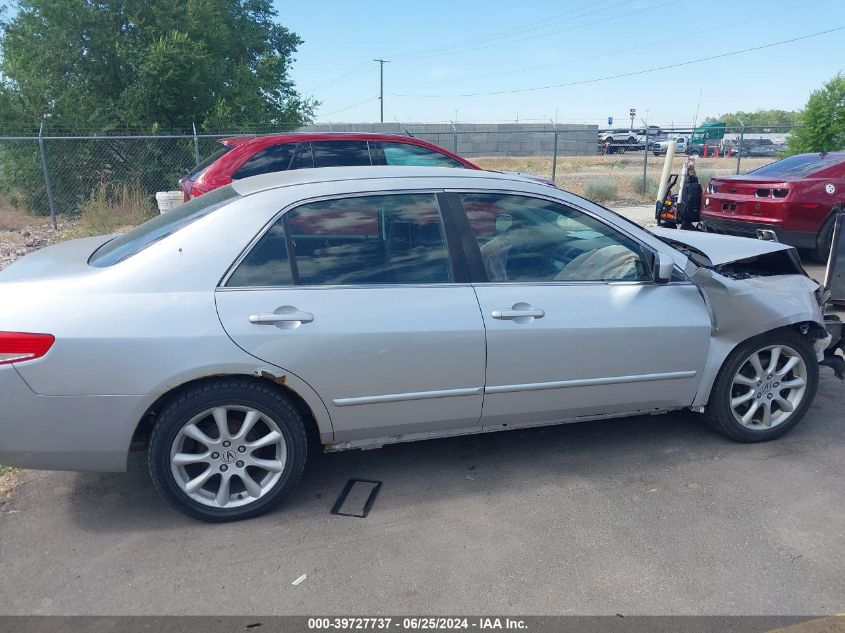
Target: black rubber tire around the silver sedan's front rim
{"points": [[719, 414]]}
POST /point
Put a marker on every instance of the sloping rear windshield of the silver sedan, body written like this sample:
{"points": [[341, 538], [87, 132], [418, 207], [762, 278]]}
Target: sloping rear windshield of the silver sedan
{"points": [[139, 238]]}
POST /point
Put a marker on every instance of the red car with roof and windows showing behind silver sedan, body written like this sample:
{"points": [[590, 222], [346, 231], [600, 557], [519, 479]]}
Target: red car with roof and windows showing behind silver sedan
{"points": [[243, 156]]}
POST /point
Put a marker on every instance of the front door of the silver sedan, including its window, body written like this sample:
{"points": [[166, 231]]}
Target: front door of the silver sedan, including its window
{"points": [[574, 325]]}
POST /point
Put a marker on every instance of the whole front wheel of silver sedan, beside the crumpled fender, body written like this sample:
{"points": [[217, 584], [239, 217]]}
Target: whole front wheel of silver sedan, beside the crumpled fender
{"points": [[764, 387]]}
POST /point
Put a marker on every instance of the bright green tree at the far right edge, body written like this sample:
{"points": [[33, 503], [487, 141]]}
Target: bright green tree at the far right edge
{"points": [[822, 120]]}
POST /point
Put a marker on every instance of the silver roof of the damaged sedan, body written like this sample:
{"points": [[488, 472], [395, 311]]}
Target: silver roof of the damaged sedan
{"points": [[275, 180]]}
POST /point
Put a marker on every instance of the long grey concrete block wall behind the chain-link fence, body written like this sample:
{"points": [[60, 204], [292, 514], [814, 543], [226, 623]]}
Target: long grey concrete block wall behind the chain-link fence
{"points": [[486, 139]]}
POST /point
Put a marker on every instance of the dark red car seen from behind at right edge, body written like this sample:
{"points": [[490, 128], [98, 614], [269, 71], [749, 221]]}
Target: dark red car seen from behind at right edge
{"points": [[793, 197]]}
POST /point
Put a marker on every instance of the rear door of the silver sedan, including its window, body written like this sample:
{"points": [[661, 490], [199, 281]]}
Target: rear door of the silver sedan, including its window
{"points": [[366, 298]]}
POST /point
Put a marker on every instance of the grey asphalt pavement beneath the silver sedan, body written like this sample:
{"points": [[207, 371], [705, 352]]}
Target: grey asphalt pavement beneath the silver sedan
{"points": [[647, 515]]}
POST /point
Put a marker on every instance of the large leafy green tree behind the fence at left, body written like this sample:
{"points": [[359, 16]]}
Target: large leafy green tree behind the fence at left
{"points": [[152, 63]]}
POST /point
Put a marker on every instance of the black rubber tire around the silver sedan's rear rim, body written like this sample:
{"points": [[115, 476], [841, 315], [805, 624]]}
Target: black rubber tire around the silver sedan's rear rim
{"points": [[234, 391]]}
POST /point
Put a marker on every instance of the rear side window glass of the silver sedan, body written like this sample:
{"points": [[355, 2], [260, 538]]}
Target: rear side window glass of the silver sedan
{"points": [[395, 239]]}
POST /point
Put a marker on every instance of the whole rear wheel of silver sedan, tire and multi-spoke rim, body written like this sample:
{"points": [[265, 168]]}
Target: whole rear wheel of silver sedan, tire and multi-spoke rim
{"points": [[227, 449]]}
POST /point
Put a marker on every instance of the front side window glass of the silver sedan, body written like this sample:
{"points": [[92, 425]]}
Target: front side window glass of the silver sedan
{"points": [[528, 239]]}
